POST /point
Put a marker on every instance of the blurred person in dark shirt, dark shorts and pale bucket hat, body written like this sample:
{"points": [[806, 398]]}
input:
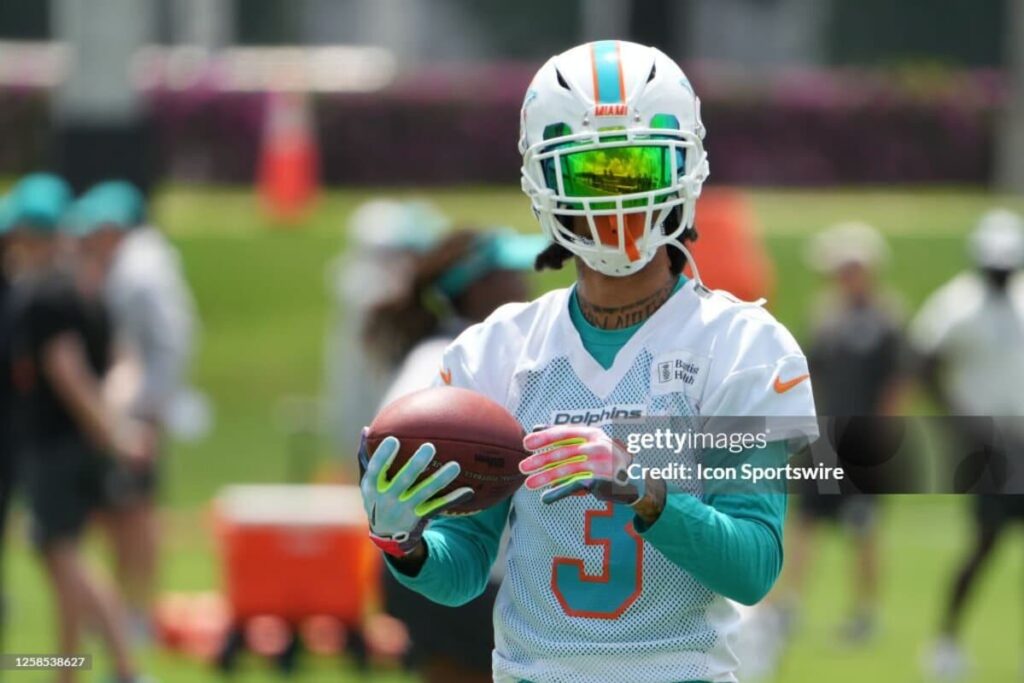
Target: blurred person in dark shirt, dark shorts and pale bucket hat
{"points": [[858, 357]]}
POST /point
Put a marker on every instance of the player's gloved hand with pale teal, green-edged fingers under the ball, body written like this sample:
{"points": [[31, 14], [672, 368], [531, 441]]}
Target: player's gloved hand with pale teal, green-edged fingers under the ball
{"points": [[400, 508]]}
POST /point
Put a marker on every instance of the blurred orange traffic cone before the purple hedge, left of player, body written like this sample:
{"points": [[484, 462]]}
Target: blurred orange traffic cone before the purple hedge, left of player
{"points": [[289, 163]]}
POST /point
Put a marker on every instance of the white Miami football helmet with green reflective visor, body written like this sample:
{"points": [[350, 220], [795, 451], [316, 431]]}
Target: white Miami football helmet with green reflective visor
{"points": [[611, 132]]}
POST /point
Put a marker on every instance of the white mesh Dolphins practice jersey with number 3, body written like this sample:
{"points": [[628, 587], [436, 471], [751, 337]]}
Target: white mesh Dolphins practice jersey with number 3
{"points": [[585, 600]]}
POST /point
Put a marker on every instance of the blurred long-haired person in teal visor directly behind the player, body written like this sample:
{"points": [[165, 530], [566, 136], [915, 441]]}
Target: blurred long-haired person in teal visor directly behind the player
{"points": [[460, 282]]}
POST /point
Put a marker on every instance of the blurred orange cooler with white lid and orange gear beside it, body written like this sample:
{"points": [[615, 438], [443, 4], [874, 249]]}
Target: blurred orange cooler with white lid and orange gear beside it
{"points": [[297, 567]]}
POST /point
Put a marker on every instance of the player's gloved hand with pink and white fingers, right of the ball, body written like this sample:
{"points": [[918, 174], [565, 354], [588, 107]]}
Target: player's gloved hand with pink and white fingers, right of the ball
{"points": [[569, 459]]}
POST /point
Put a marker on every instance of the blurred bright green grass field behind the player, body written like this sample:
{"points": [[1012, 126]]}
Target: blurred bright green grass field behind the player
{"points": [[265, 308]]}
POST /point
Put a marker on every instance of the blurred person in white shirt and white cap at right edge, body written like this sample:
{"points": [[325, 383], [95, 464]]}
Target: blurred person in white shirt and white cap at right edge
{"points": [[970, 337]]}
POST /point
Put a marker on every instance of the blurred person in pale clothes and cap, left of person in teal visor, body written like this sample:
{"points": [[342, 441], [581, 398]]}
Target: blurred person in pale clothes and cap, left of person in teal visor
{"points": [[386, 237]]}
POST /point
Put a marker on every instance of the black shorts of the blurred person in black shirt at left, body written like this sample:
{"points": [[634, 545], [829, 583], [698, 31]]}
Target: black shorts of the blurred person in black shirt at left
{"points": [[64, 483]]}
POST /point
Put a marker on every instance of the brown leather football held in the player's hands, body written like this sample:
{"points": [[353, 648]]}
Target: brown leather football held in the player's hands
{"points": [[465, 428]]}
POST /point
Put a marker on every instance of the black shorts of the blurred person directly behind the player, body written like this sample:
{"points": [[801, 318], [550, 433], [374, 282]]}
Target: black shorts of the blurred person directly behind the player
{"points": [[465, 634]]}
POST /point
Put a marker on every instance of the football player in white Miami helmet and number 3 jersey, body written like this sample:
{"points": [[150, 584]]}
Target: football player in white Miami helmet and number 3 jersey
{"points": [[611, 576]]}
